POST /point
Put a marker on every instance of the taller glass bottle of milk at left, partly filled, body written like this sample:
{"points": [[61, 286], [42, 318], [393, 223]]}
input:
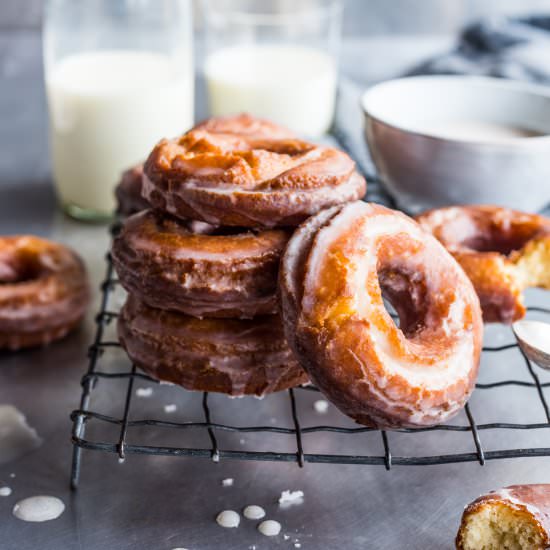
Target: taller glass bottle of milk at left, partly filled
{"points": [[119, 77]]}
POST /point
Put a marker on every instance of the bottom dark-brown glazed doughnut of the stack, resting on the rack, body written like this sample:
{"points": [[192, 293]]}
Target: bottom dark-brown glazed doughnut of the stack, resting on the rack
{"points": [[231, 356]]}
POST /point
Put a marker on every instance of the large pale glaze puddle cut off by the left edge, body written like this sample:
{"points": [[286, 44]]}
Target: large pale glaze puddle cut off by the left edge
{"points": [[17, 438]]}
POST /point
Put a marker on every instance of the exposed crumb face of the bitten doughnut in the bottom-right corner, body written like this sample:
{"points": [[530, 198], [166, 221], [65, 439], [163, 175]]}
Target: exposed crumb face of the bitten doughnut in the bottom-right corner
{"points": [[496, 525]]}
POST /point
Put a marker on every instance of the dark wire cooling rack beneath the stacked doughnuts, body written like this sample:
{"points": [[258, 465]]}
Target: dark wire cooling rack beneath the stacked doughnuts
{"points": [[118, 442]]}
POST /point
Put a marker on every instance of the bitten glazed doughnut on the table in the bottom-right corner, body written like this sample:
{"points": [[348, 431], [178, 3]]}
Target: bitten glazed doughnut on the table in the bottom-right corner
{"points": [[517, 517]]}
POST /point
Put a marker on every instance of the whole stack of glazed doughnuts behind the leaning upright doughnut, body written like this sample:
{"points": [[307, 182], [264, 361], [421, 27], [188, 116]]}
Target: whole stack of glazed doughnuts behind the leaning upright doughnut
{"points": [[201, 263]]}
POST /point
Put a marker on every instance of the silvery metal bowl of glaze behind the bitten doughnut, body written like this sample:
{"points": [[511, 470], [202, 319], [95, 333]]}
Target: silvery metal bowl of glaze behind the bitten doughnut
{"points": [[442, 140]]}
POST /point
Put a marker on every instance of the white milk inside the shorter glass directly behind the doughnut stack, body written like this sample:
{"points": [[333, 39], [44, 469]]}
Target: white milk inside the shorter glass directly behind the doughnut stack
{"points": [[292, 85]]}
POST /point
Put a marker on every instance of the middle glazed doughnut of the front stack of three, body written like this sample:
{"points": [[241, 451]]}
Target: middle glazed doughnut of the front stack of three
{"points": [[197, 269]]}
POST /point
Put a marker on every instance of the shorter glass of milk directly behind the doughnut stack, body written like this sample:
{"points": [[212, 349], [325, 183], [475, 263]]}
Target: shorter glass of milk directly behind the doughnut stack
{"points": [[274, 59]]}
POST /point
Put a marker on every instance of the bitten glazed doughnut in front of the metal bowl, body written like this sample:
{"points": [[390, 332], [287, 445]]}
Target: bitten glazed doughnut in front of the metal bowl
{"points": [[503, 252]]}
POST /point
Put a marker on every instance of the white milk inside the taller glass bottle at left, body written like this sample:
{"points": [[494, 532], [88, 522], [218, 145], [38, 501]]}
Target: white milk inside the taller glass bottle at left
{"points": [[107, 111]]}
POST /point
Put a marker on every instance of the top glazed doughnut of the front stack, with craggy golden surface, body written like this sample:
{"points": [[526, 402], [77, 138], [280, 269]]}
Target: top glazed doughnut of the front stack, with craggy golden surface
{"points": [[247, 181]]}
